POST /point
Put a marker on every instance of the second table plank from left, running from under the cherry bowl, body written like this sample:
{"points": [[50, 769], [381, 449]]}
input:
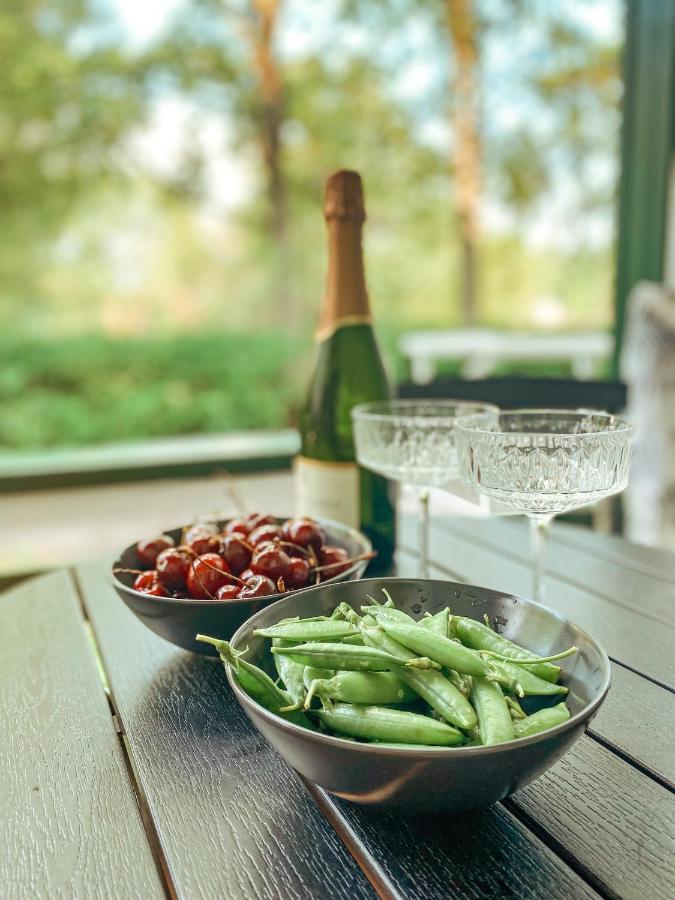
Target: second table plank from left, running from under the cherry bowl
{"points": [[233, 820]]}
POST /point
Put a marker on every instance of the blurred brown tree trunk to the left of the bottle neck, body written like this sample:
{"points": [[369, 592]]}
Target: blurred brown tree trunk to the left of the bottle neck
{"points": [[271, 116]]}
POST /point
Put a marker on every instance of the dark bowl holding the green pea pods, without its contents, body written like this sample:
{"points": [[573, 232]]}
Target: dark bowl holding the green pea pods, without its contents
{"points": [[436, 779]]}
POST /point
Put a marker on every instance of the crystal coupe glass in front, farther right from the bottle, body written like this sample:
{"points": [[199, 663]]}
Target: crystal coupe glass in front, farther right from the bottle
{"points": [[543, 462]]}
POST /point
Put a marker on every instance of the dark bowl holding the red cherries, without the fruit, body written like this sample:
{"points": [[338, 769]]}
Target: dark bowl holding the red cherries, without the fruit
{"points": [[178, 621]]}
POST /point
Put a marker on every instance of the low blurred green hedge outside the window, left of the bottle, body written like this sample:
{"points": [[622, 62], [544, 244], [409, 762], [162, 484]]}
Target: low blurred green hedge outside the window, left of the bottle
{"points": [[87, 390]]}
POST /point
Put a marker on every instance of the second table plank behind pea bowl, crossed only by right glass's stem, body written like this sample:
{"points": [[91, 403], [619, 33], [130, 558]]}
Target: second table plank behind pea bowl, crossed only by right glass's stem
{"points": [[581, 563]]}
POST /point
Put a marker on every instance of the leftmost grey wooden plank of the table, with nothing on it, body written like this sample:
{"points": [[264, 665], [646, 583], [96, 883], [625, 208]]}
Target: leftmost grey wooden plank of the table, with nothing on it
{"points": [[70, 825]]}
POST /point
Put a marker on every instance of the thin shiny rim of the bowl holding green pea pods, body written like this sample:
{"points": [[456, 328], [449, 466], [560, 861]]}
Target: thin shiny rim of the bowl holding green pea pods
{"points": [[428, 753]]}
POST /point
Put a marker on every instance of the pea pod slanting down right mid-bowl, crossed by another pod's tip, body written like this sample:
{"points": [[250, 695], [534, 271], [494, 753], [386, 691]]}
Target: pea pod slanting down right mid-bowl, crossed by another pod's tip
{"points": [[431, 686]]}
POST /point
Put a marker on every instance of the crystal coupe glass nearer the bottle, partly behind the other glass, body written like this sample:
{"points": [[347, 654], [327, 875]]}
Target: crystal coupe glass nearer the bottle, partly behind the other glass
{"points": [[411, 441]]}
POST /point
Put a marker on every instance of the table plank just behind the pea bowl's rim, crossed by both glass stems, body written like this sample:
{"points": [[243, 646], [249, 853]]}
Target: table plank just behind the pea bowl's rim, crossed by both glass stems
{"points": [[615, 627]]}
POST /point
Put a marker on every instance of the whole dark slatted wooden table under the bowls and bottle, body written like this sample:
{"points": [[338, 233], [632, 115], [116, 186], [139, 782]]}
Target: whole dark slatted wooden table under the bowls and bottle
{"points": [[127, 769]]}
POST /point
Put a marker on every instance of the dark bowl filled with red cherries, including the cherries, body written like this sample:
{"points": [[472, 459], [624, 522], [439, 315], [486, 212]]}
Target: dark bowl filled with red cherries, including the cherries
{"points": [[210, 577]]}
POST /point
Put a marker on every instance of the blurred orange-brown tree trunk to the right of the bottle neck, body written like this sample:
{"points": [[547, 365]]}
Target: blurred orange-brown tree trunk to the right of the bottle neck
{"points": [[467, 149]]}
